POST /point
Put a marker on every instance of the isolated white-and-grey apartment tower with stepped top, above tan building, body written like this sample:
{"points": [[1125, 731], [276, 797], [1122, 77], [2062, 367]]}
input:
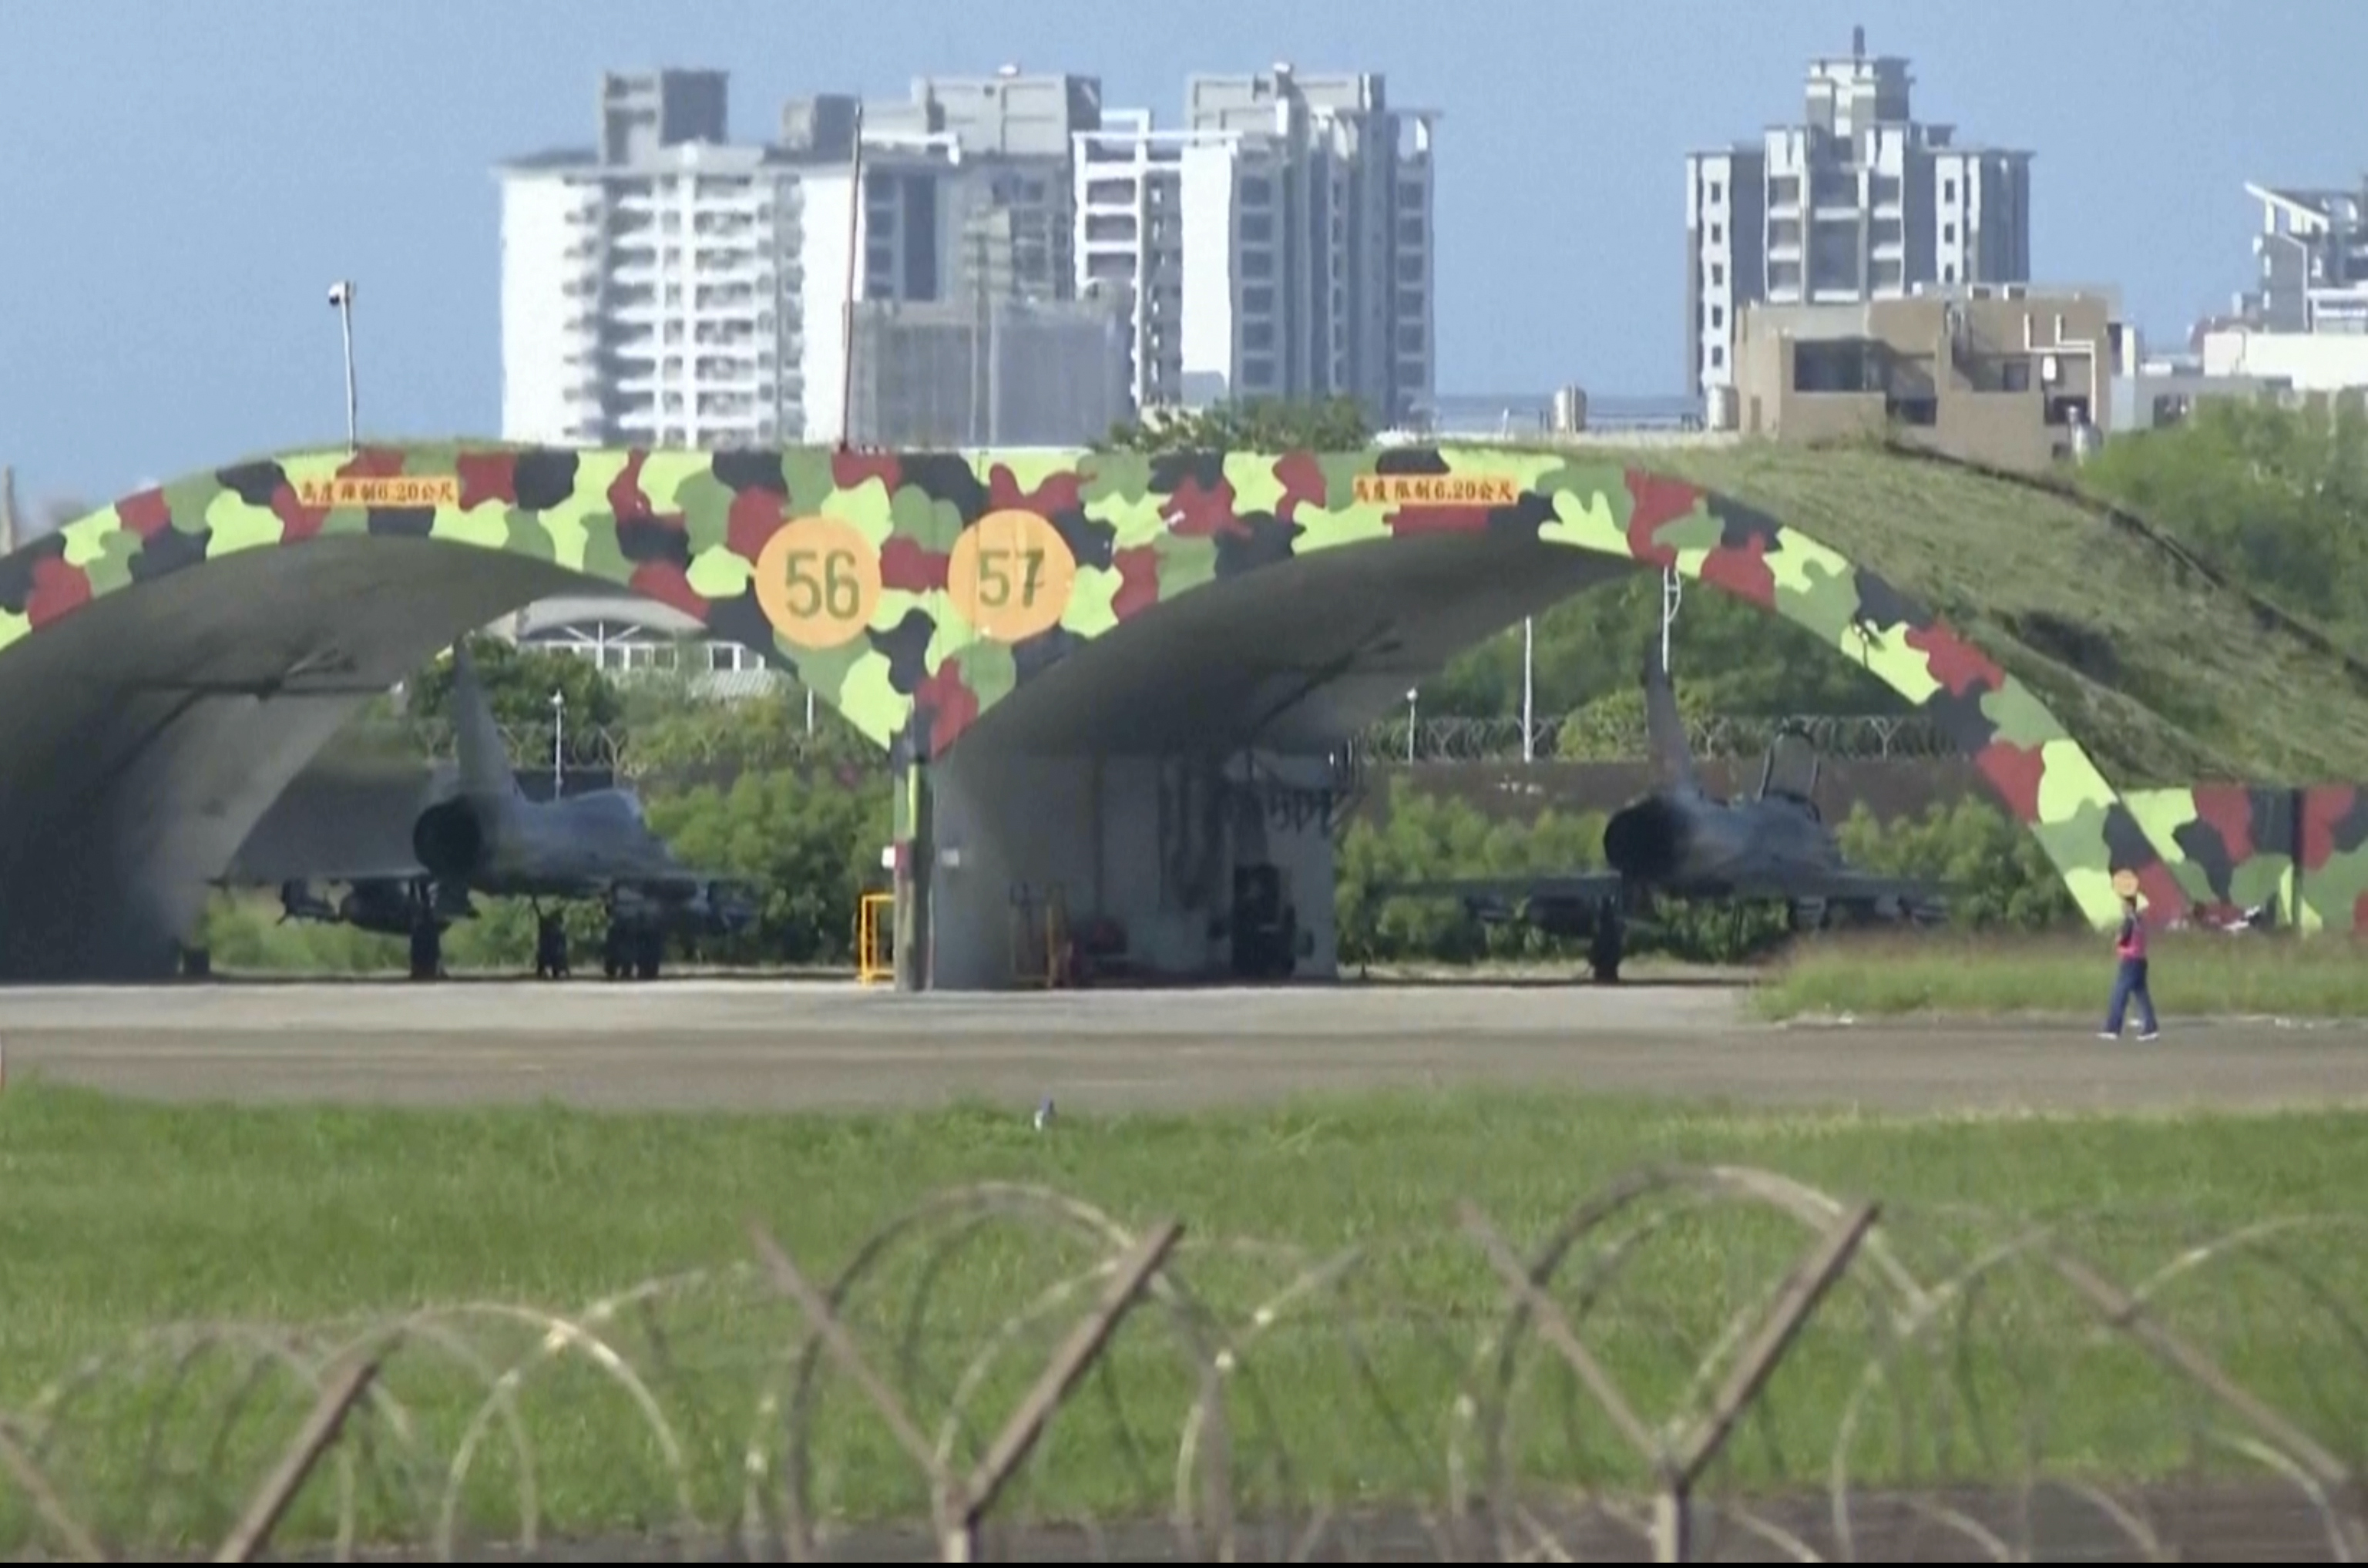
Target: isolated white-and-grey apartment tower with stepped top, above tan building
{"points": [[1853, 203]]}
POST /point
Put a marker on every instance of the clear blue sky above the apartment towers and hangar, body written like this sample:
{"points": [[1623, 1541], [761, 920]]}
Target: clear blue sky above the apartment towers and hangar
{"points": [[184, 181]]}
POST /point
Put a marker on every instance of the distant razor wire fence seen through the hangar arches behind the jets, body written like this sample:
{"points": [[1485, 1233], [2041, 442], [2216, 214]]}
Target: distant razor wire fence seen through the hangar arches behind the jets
{"points": [[1870, 738]]}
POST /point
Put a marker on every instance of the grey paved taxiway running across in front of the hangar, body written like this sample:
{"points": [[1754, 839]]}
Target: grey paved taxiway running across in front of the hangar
{"points": [[828, 1046]]}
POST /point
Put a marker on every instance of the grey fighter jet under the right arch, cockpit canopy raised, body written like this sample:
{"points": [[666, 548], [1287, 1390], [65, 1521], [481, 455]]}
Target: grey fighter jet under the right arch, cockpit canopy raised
{"points": [[1682, 842]]}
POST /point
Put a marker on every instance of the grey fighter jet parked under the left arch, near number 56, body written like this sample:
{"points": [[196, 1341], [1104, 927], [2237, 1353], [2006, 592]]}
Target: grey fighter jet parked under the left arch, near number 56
{"points": [[482, 835]]}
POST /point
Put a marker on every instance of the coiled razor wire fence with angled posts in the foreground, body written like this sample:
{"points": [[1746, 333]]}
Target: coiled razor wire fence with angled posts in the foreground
{"points": [[1697, 1363]]}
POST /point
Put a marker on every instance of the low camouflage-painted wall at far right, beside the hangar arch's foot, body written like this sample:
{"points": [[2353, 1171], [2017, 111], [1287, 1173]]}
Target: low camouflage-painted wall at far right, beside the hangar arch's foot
{"points": [[2239, 847]]}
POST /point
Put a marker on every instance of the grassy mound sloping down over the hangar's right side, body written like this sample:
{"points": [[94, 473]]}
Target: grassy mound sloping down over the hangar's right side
{"points": [[2156, 671]]}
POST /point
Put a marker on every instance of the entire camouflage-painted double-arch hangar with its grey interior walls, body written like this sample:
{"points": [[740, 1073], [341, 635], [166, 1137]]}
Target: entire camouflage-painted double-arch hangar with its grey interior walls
{"points": [[1105, 674]]}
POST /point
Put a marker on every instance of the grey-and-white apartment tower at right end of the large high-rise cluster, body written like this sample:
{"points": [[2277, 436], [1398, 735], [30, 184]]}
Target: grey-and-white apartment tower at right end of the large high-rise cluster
{"points": [[1280, 245]]}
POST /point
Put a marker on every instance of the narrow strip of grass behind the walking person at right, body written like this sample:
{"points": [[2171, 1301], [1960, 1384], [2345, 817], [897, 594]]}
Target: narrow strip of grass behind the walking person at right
{"points": [[2192, 975]]}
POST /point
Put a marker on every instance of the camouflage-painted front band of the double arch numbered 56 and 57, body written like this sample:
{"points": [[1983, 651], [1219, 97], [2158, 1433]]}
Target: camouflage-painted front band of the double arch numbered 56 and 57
{"points": [[910, 650]]}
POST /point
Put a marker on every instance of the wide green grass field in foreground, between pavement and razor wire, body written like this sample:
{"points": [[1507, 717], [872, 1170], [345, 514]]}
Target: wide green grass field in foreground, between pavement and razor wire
{"points": [[122, 1216]]}
